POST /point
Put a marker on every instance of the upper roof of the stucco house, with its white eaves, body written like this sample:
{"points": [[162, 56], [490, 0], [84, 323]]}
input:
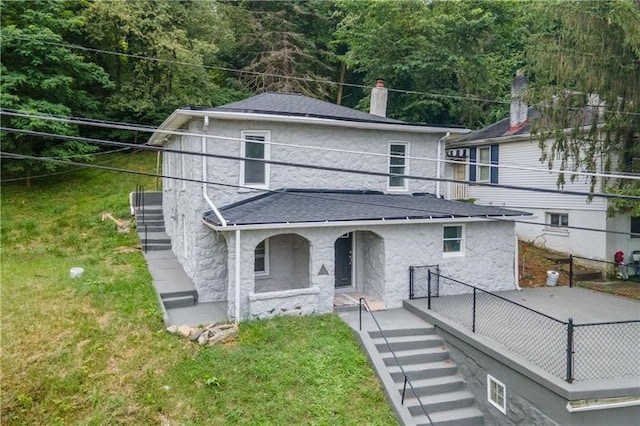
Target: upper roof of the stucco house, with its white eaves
{"points": [[290, 107]]}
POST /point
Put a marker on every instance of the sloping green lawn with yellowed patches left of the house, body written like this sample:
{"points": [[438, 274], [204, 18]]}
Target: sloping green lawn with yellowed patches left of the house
{"points": [[94, 350]]}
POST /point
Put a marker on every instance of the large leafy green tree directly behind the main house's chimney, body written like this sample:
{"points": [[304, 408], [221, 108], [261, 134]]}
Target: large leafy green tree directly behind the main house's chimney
{"points": [[453, 50]]}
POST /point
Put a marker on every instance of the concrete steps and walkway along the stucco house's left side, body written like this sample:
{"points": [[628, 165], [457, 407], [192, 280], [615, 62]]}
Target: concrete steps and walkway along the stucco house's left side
{"points": [[173, 286]]}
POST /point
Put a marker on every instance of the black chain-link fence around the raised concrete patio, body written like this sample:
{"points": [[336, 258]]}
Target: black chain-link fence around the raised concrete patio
{"points": [[566, 350]]}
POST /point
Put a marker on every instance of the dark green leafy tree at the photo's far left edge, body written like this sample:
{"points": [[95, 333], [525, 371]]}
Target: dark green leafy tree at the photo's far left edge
{"points": [[40, 75]]}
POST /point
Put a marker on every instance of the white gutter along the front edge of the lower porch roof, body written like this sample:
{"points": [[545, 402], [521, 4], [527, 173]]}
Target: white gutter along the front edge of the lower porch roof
{"points": [[352, 223]]}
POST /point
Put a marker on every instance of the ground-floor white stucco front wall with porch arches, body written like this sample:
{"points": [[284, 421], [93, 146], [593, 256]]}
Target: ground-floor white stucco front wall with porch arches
{"points": [[488, 259]]}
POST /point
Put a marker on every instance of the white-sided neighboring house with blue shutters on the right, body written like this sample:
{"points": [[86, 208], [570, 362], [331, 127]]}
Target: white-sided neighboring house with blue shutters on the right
{"points": [[557, 217]]}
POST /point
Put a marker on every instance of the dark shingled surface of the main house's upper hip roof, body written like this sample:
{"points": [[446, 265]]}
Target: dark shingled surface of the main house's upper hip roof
{"points": [[291, 104]]}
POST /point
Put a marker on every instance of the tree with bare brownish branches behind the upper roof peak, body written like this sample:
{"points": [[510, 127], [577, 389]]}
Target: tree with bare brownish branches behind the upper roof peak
{"points": [[285, 46]]}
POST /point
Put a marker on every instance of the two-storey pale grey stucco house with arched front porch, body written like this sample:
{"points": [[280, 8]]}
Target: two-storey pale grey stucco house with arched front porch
{"points": [[266, 251]]}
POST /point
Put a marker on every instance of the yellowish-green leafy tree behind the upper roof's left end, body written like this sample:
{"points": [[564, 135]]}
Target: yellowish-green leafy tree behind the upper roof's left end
{"points": [[166, 55]]}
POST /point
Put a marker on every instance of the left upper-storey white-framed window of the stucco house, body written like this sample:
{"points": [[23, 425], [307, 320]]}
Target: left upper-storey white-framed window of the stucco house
{"points": [[255, 148]]}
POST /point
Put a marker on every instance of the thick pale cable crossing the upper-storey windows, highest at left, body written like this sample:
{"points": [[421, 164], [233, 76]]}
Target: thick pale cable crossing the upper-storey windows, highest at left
{"points": [[135, 127]]}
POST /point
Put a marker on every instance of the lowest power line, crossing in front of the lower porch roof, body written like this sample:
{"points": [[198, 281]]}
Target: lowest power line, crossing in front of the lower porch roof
{"points": [[199, 181]]}
